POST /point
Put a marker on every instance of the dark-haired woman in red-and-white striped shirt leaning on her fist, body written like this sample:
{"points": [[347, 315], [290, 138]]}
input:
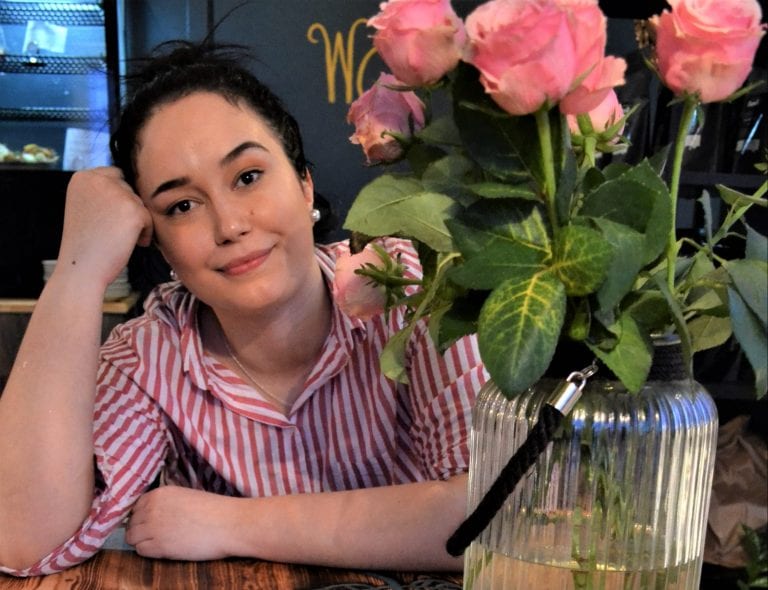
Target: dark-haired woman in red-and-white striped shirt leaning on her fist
{"points": [[243, 387]]}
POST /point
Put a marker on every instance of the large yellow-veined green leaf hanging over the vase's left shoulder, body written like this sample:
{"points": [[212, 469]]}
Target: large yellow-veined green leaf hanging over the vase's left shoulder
{"points": [[518, 330]]}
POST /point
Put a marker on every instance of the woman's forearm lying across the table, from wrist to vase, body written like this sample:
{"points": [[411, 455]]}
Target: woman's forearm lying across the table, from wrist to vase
{"points": [[391, 527]]}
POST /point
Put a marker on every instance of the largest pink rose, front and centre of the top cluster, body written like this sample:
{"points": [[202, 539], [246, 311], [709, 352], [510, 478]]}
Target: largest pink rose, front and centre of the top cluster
{"points": [[524, 51]]}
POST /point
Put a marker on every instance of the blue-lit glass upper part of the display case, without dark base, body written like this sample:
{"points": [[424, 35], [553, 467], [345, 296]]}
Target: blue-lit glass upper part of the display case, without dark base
{"points": [[58, 82]]}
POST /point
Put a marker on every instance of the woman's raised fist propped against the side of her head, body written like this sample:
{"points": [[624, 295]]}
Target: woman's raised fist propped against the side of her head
{"points": [[103, 221]]}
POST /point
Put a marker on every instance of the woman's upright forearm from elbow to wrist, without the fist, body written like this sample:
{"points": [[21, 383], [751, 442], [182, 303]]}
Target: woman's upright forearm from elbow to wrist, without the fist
{"points": [[46, 414]]}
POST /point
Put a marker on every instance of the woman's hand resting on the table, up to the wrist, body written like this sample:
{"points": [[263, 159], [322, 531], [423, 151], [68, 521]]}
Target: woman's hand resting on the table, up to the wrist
{"points": [[180, 523]]}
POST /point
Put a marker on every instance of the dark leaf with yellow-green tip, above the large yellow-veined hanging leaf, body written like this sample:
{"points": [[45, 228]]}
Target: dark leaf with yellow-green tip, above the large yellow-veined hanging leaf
{"points": [[508, 220]]}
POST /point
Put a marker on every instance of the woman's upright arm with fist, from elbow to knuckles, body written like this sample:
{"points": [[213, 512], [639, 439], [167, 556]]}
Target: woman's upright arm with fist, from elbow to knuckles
{"points": [[46, 410]]}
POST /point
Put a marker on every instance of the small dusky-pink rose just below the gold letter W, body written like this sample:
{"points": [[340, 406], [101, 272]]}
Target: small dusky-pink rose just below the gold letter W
{"points": [[380, 111]]}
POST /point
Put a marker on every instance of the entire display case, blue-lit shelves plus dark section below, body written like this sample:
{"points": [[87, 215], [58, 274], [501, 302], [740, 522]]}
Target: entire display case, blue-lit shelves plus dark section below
{"points": [[59, 90]]}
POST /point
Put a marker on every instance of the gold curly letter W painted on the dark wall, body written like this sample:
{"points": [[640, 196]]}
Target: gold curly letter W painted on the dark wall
{"points": [[336, 54]]}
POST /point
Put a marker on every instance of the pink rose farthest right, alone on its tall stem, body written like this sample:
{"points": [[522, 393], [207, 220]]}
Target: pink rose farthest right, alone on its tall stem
{"points": [[707, 46]]}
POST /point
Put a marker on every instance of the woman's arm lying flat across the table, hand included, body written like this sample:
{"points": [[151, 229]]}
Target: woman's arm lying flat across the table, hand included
{"points": [[391, 527]]}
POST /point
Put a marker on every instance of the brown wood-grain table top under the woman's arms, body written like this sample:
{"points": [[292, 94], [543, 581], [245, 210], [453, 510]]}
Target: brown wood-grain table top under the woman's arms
{"points": [[125, 570]]}
